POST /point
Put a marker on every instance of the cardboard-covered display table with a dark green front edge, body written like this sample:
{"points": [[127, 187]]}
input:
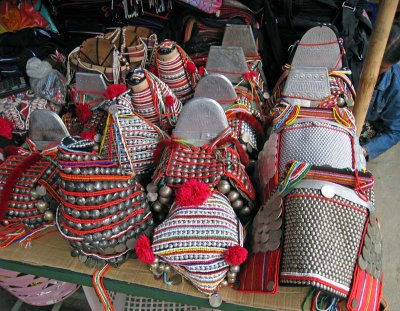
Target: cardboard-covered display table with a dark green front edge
{"points": [[50, 257]]}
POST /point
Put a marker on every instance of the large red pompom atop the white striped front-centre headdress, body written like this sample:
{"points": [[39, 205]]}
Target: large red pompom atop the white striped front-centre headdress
{"points": [[192, 192]]}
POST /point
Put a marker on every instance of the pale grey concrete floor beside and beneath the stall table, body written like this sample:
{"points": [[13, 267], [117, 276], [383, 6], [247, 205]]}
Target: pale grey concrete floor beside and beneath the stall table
{"points": [[386, 170]]}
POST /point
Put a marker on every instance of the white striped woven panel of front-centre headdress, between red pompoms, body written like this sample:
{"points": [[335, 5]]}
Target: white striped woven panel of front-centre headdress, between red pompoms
{"points": [[193, 240]]}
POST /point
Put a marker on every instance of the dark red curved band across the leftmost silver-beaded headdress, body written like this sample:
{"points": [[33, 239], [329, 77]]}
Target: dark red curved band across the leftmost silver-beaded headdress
{"points": [[12, 180]]}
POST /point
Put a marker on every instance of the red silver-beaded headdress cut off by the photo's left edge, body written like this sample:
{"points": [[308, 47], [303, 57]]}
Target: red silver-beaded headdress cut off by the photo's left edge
{"points": [[28, 184]]}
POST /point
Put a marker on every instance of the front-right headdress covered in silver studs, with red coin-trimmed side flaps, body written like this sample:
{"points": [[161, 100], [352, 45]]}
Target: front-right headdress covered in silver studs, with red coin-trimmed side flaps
{"points": [[326, 214]]}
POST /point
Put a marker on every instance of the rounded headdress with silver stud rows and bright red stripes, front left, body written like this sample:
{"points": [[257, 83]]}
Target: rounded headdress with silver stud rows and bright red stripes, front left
{"points": [[103, 208]]}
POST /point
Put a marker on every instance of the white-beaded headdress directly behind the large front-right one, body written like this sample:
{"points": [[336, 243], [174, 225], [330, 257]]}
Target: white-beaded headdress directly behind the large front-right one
{"points": [[322, 136]]}
